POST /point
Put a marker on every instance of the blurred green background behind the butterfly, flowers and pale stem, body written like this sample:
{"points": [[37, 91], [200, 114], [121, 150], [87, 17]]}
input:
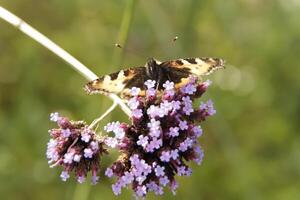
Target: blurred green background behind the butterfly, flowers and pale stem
{"points": [[252, 144]]}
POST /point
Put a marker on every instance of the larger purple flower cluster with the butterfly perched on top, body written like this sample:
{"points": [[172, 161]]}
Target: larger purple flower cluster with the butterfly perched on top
{"points": [[162, 138]]}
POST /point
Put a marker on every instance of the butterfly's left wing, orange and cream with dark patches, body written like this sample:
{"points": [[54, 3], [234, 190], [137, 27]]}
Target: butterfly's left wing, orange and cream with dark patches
{"points": [[118, 83]]}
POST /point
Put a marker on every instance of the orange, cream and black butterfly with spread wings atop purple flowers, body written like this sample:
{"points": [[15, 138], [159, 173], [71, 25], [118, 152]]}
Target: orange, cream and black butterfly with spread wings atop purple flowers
{"points": [[178, 71]]}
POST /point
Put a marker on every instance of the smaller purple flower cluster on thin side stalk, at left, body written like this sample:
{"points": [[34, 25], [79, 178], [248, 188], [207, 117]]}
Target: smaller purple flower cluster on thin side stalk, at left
{"points": [[75, 147]]}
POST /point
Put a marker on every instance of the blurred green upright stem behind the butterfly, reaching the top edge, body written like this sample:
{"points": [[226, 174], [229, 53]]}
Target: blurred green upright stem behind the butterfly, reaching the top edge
{"points": [[124, 32]]}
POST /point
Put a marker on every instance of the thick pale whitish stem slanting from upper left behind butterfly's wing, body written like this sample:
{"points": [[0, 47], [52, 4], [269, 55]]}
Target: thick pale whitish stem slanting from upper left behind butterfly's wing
{"points": [[46, 42]]}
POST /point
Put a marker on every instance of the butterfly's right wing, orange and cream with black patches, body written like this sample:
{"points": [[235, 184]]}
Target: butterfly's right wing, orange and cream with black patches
{"points": [[179, 70]]}
